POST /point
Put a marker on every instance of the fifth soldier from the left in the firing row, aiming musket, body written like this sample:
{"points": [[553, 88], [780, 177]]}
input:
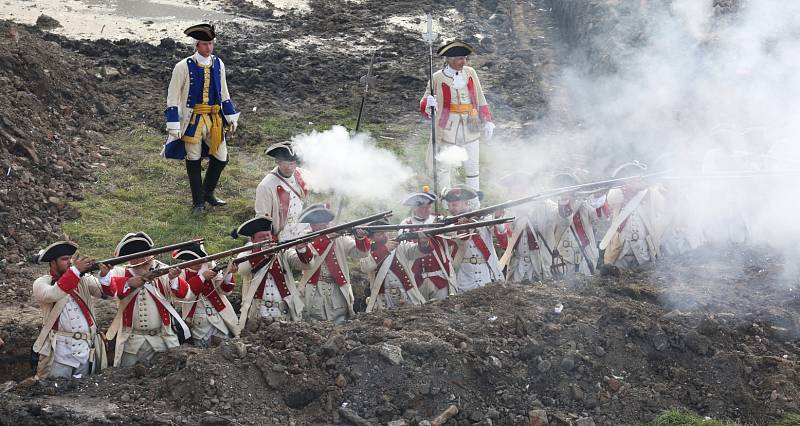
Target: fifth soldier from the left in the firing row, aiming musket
{"points": [[329, 295]]}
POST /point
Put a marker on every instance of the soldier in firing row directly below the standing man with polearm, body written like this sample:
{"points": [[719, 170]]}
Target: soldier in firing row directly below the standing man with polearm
{"points": [[475, 260]]}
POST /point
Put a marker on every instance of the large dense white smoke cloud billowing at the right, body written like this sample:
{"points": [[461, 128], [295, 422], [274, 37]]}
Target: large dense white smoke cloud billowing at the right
{"points": [[691, 89]]}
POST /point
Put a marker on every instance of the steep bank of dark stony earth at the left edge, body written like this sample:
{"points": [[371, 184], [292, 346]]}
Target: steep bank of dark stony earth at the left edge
{"points": [[50, 141]]}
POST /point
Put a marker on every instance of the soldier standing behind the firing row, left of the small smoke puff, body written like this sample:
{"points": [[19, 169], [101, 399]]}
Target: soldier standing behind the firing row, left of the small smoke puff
{"points": [[281, 193]]}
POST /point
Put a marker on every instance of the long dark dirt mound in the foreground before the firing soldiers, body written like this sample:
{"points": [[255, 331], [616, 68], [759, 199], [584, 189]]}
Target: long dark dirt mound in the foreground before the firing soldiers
{"points": [[619, 352]]}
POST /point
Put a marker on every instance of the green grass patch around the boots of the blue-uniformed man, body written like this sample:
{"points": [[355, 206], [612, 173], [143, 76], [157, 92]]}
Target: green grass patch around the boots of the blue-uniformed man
{"points": [[144, 192]]}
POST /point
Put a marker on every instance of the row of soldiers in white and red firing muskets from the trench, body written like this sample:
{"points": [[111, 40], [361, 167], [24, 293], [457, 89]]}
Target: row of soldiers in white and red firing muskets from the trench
{"points": [[548, 239]]}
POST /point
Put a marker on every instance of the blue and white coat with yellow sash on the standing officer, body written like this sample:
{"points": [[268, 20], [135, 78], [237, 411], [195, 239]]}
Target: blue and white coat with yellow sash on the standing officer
{"points": [[198, 96]]}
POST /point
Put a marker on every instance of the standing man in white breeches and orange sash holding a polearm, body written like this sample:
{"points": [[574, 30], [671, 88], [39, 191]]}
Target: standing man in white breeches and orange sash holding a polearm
{"points": [[462, 117]]}
